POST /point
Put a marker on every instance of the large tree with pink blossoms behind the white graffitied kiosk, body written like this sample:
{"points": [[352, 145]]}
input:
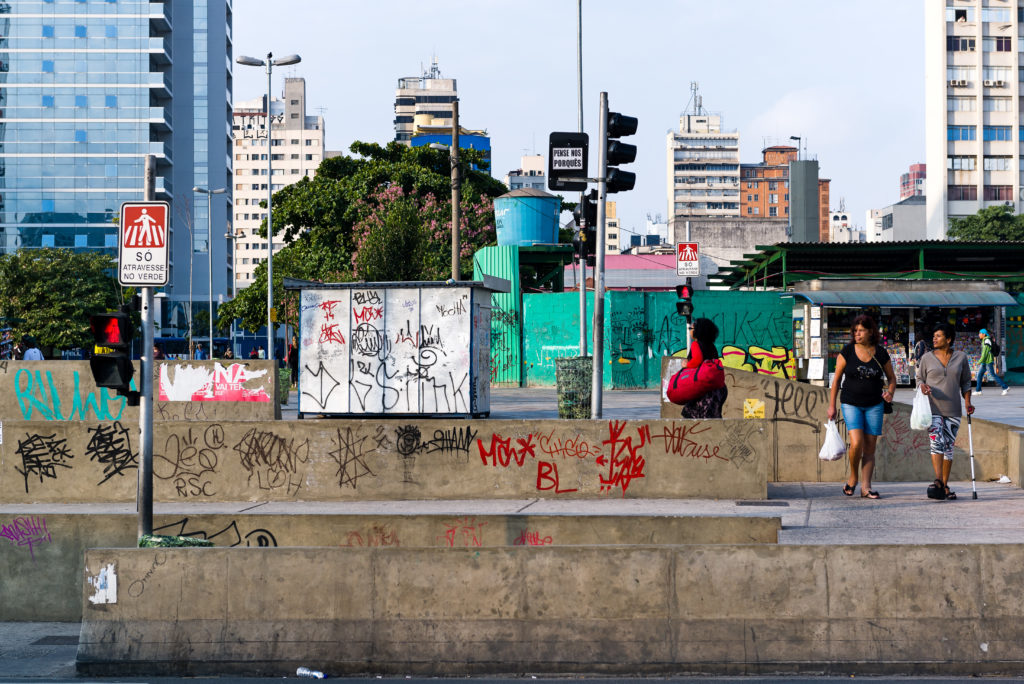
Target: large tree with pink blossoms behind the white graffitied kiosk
{"points": [[383, 215]]}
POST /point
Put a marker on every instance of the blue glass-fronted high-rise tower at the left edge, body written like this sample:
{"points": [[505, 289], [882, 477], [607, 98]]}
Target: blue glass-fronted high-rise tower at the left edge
{"points": [[88, 90]]}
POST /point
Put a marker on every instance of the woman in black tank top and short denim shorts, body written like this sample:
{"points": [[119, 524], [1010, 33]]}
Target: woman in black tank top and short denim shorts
{"points": [[865, 373]]}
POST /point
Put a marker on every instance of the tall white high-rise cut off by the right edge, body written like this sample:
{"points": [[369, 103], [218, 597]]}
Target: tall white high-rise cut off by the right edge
{"points": [[972, 108]]}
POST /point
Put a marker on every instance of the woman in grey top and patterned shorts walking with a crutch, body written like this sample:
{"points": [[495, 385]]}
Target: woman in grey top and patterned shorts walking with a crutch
{"points": [[945, 376]]}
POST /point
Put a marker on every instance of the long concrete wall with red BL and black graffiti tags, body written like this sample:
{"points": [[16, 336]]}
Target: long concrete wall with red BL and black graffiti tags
{"points": [[323, 460]]}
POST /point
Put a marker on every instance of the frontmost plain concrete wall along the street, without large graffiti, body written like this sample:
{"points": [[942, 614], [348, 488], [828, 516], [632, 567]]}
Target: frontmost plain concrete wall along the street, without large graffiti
{"points": [[561, 610]]}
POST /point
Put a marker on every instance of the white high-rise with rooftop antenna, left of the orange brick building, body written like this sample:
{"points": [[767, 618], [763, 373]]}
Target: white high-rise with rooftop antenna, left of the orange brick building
{"points": [[703, 167]]}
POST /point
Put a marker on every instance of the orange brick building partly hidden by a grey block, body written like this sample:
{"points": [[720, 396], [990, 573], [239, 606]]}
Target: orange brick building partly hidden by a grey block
{"points": [[765, 189]]}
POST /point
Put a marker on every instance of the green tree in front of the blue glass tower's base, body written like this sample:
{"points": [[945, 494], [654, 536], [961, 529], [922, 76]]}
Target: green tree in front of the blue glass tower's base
{"points": [[33, 288]]}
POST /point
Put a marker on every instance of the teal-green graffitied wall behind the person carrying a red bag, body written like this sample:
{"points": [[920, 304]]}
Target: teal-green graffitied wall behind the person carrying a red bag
{"points": [[642, 327]]}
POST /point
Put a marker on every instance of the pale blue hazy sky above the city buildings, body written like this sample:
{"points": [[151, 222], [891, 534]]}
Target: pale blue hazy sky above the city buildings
{"points": [[846, 76]]}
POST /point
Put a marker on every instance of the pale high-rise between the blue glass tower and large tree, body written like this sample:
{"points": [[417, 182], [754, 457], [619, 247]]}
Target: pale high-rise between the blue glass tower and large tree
{"points": [[296, 150]]}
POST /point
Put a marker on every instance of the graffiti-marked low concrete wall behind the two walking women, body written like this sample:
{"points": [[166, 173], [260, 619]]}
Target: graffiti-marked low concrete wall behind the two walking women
{"points": [[797, 413]]}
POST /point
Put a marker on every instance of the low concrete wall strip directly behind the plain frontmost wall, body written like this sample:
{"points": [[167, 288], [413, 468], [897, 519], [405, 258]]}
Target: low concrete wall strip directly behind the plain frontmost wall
{"points": [[44, 552]]}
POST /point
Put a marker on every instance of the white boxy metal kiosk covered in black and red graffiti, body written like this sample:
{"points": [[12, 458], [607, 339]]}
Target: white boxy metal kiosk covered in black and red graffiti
{"points": [[391, 352]]}
